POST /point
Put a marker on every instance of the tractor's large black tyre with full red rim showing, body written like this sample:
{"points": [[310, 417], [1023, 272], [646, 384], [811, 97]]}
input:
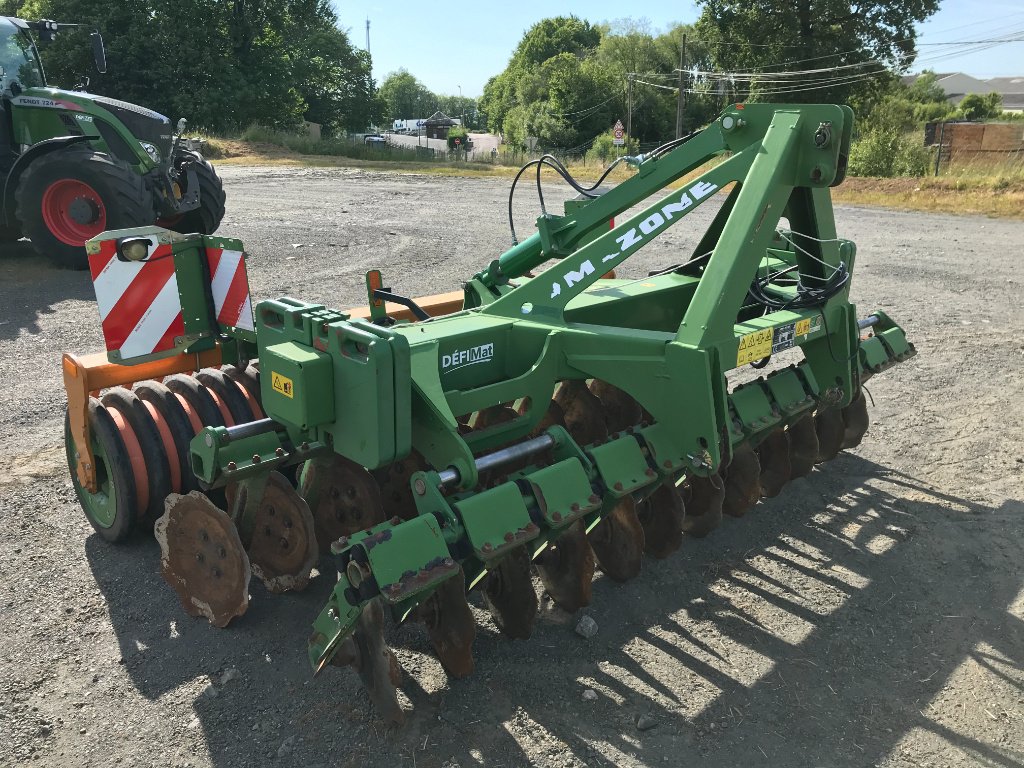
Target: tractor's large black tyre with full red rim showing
{"points": [[72, 195]]}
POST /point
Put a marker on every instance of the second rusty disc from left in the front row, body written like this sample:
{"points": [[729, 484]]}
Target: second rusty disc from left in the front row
{"points": [[451, 627]]}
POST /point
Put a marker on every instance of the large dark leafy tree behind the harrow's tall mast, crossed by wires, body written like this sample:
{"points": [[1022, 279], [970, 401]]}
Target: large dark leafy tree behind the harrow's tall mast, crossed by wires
{"points": [[841, 51]]}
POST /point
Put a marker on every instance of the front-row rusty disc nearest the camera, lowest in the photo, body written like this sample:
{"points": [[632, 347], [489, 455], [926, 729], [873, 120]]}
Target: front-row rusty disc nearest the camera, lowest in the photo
{"points": [[379, 669]]}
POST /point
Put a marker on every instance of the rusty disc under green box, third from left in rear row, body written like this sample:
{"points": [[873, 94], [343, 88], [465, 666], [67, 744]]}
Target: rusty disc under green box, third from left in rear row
{"points": [[344, 499]]}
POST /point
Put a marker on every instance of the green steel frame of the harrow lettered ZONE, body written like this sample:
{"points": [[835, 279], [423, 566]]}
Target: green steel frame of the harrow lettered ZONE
{"points": [[373, 393]]}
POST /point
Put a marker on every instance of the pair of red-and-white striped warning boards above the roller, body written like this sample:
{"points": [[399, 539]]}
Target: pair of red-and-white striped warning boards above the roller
{"points": [[140, 302]]}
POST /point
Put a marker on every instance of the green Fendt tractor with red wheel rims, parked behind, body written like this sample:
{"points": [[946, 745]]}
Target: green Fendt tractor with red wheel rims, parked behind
{"points": [[74, 164]]}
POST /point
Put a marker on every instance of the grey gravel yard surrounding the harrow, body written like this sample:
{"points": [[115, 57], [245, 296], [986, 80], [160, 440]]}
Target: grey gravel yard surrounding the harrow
{"points": [[872, 615]]}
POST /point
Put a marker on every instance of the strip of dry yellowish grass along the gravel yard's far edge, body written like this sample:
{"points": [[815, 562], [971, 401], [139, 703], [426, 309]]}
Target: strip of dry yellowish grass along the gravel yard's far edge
{"points": [[991, 186]]}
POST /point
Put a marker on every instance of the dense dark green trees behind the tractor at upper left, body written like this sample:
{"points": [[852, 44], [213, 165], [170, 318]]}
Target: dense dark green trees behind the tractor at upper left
{"points": [[222, 65]]}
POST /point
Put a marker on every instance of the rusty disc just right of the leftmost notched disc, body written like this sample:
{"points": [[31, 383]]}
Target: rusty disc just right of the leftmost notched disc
{"points": [[283, 549]]}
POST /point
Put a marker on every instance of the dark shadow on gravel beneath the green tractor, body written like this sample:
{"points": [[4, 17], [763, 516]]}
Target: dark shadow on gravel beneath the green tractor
{"points": [[31, 287]]}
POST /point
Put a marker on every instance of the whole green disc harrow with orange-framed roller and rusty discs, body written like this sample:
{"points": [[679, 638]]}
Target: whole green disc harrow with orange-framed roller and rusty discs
{"points": [[538, 423]]}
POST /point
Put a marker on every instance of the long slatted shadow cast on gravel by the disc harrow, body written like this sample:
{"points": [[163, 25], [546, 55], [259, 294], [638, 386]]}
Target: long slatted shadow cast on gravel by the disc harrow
{"points": [[818, 629]]}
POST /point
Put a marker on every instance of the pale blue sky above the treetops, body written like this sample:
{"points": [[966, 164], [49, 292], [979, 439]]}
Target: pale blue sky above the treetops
{"points": [[452, 51]]}
